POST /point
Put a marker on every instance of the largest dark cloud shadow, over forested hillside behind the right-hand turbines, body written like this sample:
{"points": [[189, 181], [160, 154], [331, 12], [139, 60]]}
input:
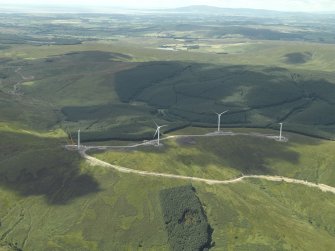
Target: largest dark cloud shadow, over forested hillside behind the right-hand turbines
{"points": [[254, 96]]}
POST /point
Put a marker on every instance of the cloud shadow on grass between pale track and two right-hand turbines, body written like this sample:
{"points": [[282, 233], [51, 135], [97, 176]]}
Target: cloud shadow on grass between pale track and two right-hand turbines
{"points": [[246, 154]]}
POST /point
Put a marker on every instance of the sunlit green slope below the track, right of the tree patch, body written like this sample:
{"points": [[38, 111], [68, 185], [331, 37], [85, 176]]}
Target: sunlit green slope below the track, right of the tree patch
{"points": [[260, 215]]}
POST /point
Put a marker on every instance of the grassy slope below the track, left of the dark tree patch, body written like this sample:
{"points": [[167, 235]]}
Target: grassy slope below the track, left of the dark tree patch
{"points": [[52, 200]]}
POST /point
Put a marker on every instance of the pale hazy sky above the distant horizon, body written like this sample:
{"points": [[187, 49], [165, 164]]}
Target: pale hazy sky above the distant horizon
{"points": [[287, 5]]}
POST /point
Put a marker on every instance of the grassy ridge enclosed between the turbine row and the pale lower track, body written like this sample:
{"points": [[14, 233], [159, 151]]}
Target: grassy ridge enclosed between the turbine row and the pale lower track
{"points": [[229, 156]]}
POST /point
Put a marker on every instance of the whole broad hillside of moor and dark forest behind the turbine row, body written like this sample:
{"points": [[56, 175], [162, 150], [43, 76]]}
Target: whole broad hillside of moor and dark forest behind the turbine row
{"points": [[108, 96]]}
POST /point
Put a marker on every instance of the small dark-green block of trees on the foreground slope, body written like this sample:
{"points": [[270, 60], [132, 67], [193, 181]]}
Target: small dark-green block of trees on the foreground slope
{"points": [[185, 219]]}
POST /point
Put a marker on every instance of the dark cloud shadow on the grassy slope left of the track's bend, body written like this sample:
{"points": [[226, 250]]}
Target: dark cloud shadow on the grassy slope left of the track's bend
{"points": [[37, 166]]}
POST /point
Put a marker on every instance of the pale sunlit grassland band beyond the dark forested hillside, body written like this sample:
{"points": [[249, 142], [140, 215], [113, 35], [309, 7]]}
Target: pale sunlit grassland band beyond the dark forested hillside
{"points": [[254, 54]]}
